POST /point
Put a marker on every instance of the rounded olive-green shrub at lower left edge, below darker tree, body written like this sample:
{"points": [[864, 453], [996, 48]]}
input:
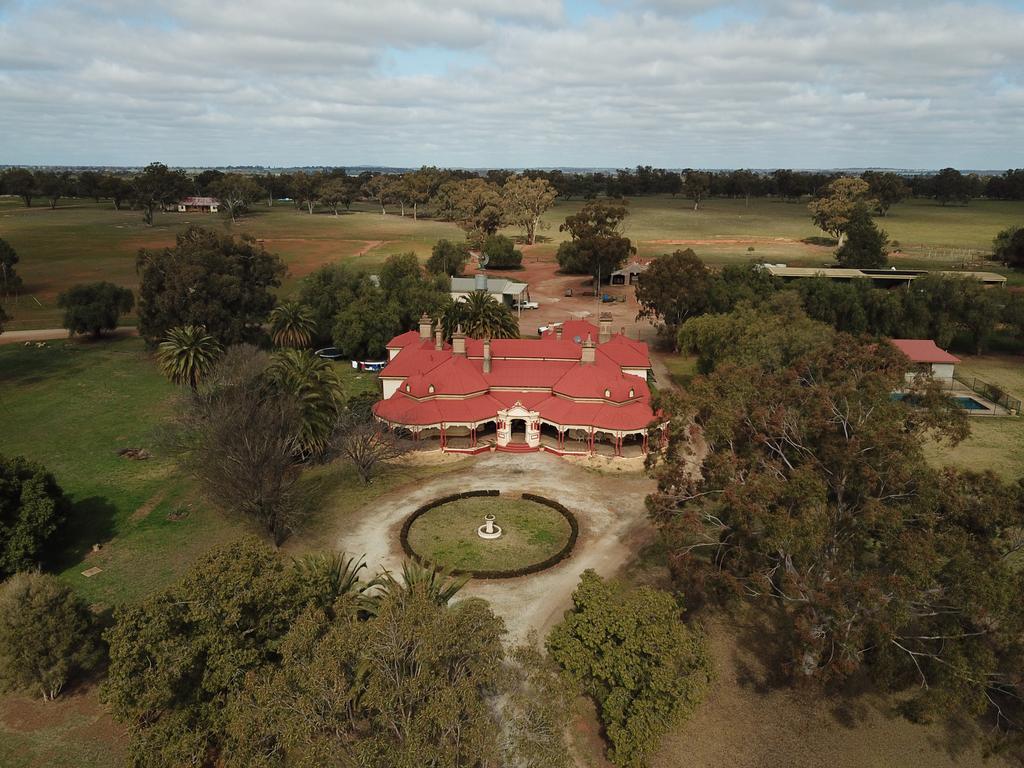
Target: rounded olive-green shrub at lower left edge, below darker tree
{"points": [[48, 635]]}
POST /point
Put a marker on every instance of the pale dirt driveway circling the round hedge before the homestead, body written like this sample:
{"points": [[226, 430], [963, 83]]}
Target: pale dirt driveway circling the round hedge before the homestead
{"points": [[609, 507]]}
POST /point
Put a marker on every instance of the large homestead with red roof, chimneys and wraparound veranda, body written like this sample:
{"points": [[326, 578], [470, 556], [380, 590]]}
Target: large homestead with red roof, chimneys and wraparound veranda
{"points": [[580, 390]]}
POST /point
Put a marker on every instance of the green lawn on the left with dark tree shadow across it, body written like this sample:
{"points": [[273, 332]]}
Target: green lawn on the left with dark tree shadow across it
{"points": [[72, 406]]}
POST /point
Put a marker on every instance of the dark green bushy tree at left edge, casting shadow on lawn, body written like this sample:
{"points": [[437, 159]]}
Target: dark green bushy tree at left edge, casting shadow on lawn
{"points": [[32, 506]]}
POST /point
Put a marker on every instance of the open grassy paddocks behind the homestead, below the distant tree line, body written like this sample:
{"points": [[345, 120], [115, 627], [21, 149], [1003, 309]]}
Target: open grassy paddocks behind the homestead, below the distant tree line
{"points": [[82, 241]]}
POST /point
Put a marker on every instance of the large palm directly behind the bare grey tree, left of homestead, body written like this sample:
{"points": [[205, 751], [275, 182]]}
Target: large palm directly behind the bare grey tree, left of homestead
{"points": [[315, 385]]}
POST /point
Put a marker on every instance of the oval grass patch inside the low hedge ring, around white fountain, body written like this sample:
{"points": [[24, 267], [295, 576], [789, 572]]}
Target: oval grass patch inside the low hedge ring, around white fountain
{"points": [[531, 534]]}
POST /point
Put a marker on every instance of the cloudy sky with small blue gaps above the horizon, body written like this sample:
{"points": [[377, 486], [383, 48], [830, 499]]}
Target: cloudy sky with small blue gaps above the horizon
{"points": [[514, 83]]}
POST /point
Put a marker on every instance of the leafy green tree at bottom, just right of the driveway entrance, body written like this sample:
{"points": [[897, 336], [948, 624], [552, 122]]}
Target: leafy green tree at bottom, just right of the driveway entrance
{"points": [[631, 653]]}
